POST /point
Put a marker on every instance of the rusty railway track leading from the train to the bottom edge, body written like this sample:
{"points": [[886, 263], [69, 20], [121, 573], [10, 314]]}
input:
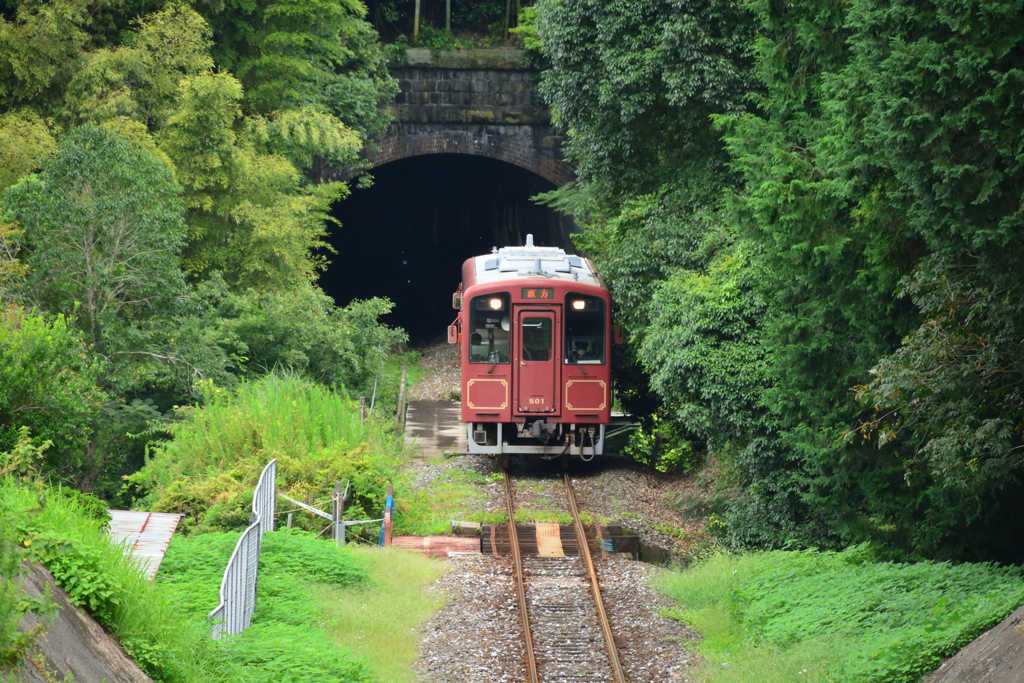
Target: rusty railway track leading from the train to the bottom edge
{"points": [[568, 633]]}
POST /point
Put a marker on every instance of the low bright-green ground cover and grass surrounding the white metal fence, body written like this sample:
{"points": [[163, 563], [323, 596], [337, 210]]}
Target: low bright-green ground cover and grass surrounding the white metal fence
{"points": [[315, 605]]}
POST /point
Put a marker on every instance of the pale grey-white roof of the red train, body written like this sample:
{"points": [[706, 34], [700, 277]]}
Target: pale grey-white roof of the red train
{"points": [[534, 263]]}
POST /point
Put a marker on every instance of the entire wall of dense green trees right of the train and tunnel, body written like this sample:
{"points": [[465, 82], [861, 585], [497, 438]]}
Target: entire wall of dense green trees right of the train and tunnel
{"points": [[809, 217]]}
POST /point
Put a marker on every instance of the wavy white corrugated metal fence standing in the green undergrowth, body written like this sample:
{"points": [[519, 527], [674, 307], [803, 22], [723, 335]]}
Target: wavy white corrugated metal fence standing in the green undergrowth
{"points": [[238, 590]]}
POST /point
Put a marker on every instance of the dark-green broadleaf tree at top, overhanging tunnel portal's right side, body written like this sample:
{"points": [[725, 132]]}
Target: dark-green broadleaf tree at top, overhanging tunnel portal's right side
{"points": [[635, 82]]}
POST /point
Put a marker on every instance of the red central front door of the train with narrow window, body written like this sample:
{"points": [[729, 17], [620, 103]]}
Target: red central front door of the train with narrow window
{"points": [[537, 364]]}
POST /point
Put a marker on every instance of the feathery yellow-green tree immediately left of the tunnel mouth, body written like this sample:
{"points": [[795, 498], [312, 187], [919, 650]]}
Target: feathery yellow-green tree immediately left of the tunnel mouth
{"points": [[252, 216]]}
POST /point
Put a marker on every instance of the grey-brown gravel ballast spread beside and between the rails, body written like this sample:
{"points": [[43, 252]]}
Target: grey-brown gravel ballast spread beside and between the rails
{"points": [[477, 637]]}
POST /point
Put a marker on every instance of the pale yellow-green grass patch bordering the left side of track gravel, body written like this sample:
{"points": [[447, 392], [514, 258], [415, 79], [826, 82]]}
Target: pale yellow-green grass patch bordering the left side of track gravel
{"points": [[379, 622]]}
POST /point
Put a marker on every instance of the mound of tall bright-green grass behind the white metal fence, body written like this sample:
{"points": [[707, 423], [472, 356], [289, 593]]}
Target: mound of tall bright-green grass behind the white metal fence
{"points": [[210, 467]]}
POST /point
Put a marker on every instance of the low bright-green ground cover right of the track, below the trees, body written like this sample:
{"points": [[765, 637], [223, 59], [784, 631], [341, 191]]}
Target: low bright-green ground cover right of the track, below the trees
{"points": [[840, 618]]}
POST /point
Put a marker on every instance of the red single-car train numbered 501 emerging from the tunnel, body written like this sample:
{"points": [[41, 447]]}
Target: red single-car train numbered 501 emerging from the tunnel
{"points": [[534, 333]]}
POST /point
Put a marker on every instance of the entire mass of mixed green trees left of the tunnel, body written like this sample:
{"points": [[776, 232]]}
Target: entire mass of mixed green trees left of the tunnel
{"points": [[165, 184]]}
